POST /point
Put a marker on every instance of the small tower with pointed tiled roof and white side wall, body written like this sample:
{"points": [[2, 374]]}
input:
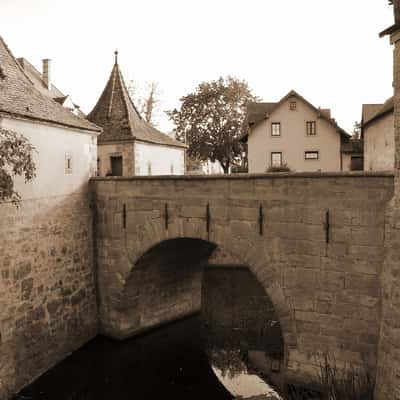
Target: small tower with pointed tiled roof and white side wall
{"points": [[129, 145]]}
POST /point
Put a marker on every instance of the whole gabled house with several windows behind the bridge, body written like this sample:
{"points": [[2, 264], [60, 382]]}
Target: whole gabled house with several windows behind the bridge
{"points": [[293, 134]]}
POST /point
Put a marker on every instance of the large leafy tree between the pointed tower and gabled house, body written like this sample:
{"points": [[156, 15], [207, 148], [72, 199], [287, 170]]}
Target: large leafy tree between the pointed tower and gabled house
{"points": [[211, 121]]}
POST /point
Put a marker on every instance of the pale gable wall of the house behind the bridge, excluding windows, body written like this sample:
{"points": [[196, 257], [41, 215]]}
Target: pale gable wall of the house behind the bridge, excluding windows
{"points": [[294, 141]]}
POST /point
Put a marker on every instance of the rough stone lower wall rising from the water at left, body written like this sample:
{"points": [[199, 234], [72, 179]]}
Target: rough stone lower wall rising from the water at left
{"points": [[47, 288]]}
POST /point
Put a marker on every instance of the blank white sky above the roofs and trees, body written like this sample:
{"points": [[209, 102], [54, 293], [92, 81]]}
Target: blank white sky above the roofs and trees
{"points": [[328, 51]]}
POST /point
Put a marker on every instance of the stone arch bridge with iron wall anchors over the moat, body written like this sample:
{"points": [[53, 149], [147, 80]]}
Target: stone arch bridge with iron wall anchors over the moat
{"points": [[315, 242]]}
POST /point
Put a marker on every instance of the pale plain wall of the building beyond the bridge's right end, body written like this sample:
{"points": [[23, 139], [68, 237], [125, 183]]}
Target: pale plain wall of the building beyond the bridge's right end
{"points": [[379, 144]]}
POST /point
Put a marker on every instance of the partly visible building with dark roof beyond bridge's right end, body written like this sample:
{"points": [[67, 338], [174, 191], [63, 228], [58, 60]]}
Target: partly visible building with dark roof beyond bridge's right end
{"points": [[377, 131]]}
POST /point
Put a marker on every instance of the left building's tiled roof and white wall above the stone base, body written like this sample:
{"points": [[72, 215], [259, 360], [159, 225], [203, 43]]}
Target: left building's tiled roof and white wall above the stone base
{"points": [[65, 144]]}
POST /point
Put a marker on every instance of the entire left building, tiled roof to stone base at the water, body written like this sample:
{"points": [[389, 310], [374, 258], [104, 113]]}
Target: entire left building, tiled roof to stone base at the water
{"points": [[47, 291]]}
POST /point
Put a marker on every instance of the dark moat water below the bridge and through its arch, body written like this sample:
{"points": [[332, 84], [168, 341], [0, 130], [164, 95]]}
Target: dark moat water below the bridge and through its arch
{"points": [[210, 355]]}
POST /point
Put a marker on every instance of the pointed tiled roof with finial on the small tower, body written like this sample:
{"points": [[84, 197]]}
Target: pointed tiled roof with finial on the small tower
{"points": [[117, 115]]}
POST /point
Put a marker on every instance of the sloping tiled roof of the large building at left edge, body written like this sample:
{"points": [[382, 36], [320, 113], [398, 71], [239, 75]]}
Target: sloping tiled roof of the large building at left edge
{"points": [[20, 98]]}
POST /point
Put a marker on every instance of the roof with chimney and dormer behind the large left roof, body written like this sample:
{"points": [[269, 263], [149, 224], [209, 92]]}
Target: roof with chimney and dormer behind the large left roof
{"points": [[43, 83]]}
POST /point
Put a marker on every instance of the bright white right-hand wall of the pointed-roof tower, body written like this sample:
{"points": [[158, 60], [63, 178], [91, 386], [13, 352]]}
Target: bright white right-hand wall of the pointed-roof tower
{"points": [[164, 160]]}
